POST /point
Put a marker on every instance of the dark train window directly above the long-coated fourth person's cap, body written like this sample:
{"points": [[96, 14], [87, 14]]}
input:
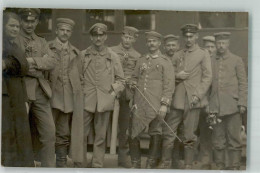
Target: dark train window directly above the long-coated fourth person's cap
{"points": [[100, 16]]}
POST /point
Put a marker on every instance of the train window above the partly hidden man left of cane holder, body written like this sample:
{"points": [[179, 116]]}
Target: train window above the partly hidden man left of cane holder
{"points": [[140, 19]]}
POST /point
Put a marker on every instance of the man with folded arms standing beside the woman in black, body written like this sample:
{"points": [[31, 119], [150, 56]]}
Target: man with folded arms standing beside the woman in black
{"points": [[40, 60]]}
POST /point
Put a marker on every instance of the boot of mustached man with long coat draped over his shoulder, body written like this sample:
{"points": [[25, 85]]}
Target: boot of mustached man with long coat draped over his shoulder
{"points": [[61, 157]]}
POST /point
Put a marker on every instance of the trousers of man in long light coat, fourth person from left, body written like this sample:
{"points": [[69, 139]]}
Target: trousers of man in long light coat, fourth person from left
{"points": [[101, 121]]}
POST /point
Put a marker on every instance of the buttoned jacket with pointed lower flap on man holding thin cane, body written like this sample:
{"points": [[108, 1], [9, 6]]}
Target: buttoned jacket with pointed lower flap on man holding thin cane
{"points": [[154, 77]]}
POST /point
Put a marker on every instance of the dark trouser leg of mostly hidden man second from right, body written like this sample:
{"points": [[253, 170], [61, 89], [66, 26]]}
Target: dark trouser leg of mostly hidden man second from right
{"points": [[205, 153]]}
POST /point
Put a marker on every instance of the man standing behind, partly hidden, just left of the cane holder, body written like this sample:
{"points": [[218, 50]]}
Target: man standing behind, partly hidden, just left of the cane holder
{"points": [[128, 57]]}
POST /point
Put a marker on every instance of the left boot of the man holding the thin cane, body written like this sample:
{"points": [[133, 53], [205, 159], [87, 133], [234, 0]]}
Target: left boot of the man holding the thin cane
{"points": [[135, 152]]}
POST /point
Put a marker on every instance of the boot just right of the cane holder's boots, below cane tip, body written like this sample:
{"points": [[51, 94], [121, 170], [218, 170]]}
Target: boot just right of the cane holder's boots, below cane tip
{"points": [[166, 162]]}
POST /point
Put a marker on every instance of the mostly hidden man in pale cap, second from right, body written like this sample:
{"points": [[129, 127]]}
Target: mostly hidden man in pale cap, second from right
{"points": [[205, 154]]}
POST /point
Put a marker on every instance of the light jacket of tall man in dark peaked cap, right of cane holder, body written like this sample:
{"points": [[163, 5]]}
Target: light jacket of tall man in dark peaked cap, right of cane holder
{"points": [[197, 62]]}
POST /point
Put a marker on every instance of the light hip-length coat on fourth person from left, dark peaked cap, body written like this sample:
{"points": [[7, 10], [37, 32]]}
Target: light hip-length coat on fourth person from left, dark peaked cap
{"points": [[102, 74]]}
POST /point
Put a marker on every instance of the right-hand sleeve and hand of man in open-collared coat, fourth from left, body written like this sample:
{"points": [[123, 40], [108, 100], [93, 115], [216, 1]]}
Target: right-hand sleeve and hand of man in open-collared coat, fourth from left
{"points": [[119, 84]]}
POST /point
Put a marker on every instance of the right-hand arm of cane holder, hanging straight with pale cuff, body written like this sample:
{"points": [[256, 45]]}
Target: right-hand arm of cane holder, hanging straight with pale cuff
{"points": [[168, 83]]}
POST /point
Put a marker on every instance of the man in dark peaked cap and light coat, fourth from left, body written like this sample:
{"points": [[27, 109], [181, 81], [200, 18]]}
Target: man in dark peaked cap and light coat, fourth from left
{"points": [[103, 79]]}
